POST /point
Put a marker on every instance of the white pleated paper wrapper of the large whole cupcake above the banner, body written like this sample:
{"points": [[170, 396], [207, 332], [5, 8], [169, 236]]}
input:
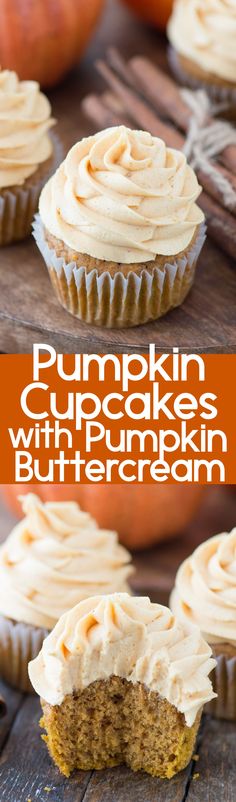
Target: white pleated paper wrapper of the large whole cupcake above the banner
{"points": [[119, 301]]}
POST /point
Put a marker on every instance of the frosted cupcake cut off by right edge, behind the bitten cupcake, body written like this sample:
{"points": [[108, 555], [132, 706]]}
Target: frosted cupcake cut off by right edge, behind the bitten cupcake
{"points": [[205, 594]]}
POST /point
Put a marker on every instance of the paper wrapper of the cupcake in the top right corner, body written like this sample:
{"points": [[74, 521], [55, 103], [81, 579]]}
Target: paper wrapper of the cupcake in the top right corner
{"points": [[218, 93]]}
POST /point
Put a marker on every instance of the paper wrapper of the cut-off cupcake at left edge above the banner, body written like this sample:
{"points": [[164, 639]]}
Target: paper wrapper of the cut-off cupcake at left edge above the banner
{"points": [[19, 205]]}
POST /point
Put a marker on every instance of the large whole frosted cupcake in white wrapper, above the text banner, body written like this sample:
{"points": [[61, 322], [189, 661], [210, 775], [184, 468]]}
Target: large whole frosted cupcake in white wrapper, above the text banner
{"points": [[119, 228]]}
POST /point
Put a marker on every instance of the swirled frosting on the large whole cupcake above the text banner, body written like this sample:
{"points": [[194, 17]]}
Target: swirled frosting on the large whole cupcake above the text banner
{"points": [[122, 196]]}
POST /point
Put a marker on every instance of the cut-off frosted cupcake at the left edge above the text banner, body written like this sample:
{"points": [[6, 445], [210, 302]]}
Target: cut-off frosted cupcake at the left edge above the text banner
{"points": [[29, 153]]}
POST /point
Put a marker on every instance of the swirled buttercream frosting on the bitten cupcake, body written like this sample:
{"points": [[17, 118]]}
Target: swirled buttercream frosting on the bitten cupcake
{"points": [[127, 637]]}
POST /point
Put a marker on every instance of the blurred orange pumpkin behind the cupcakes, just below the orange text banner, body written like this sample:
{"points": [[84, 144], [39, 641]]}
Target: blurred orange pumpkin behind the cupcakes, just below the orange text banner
{"points": [[141, 514]]}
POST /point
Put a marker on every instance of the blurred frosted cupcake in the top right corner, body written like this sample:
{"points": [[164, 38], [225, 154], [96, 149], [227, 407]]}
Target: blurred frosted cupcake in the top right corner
{"points": [[203, 35]]}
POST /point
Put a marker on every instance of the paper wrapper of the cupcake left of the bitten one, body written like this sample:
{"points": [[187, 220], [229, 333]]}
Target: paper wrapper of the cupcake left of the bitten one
{"points": [[19, 643]]}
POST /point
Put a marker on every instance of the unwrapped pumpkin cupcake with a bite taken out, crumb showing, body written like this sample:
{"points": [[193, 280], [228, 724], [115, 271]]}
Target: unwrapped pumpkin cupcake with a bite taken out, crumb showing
{"points": [[121, 682]]}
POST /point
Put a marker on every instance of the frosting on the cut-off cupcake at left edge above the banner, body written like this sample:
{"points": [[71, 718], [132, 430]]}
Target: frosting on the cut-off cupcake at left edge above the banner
{"points": [[25, 119]]}
